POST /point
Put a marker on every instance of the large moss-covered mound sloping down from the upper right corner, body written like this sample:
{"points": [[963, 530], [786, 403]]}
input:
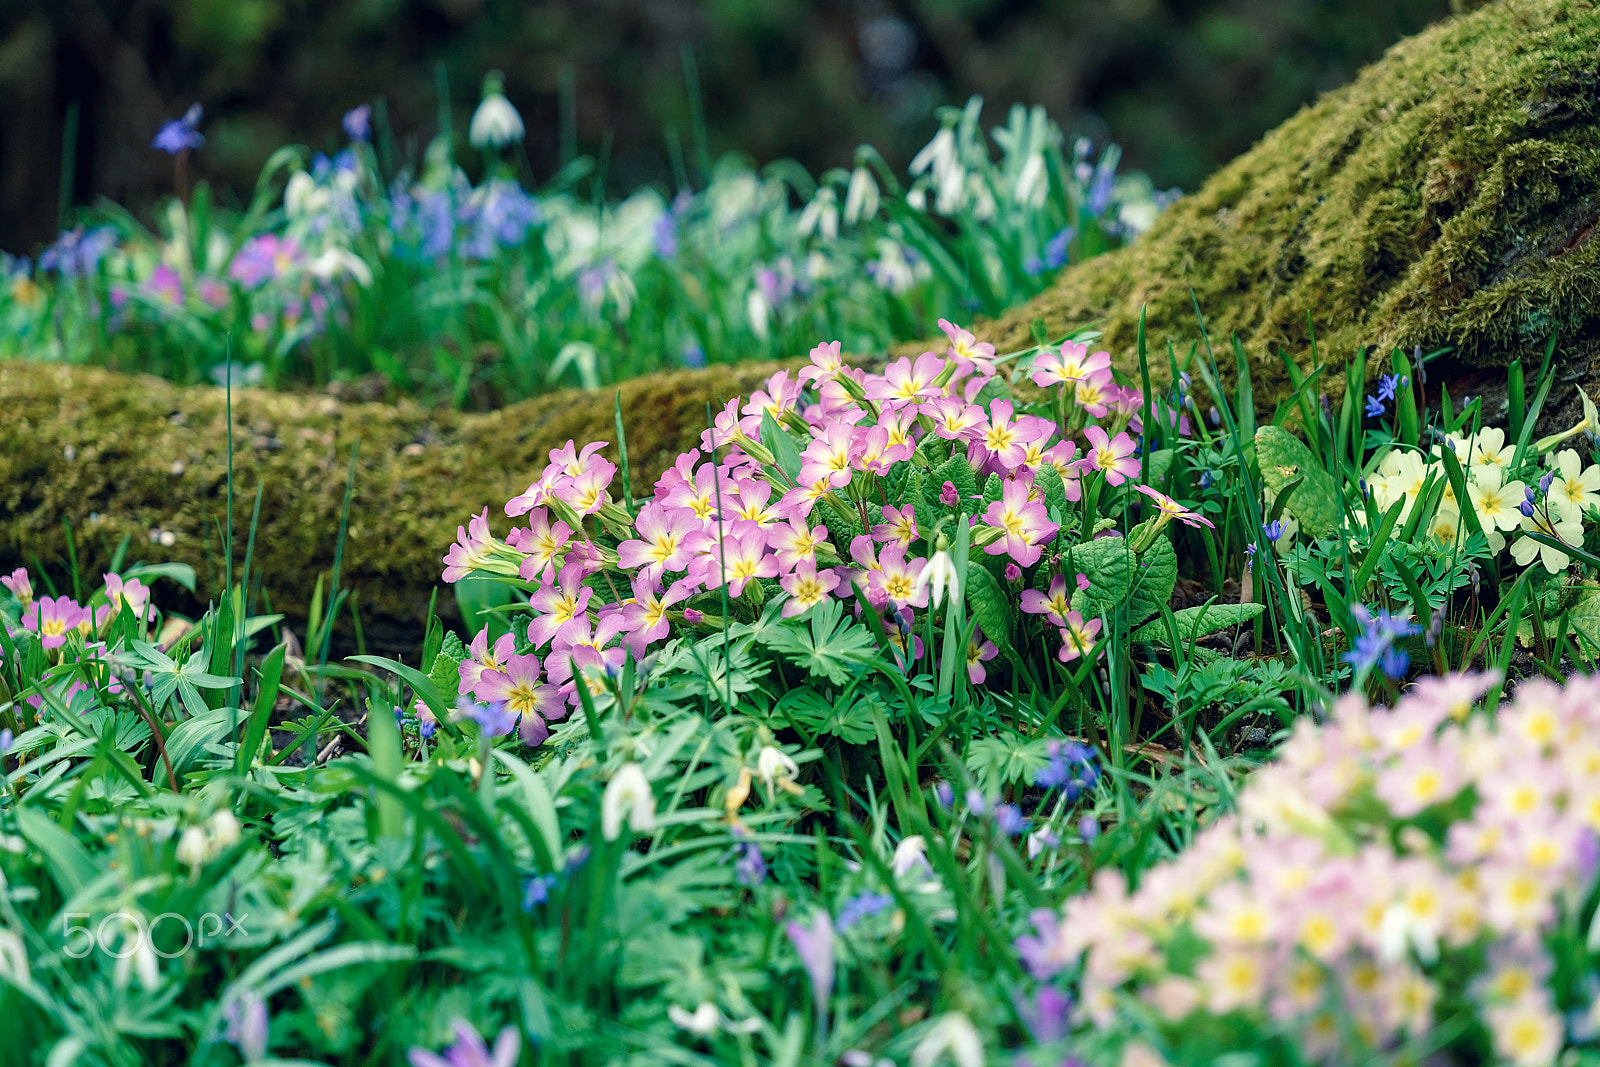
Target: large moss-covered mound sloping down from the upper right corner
{"points": [[1450, 196]]}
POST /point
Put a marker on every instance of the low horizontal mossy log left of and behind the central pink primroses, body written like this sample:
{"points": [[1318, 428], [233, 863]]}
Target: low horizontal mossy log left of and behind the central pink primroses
{"points": [[116, 455]]}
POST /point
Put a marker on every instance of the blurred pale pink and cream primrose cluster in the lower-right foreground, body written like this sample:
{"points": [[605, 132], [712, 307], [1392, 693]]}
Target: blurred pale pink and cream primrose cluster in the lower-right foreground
{"points": [[1388, 863]]}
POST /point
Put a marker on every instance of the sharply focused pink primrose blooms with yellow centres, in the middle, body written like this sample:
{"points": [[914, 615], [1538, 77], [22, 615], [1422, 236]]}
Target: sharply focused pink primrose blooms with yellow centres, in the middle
{"points": [[734, 513]]}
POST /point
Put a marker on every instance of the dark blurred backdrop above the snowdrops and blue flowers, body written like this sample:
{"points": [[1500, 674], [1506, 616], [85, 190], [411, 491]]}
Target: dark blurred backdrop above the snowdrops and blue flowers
{"points": [[1183, 86]]}
